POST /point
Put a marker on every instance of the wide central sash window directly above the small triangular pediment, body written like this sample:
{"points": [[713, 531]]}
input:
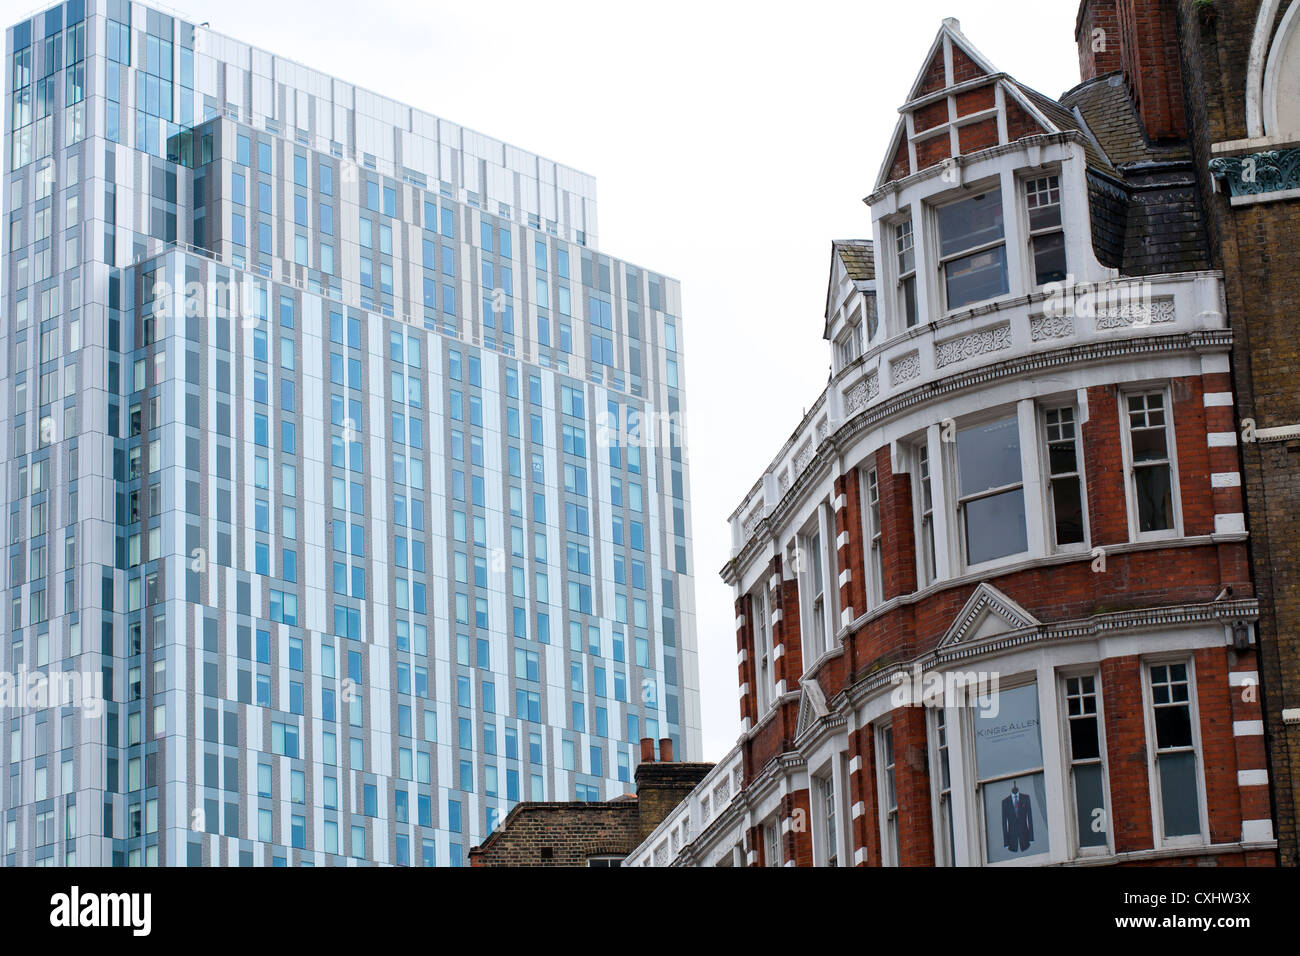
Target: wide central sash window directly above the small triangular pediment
{"points": [[991, 488]]}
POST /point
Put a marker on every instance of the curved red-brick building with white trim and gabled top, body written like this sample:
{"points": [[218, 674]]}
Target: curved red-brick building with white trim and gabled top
{"points": [[994, 599]]}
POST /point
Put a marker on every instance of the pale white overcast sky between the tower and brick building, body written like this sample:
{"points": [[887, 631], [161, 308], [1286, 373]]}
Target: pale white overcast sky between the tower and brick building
{"points": [[731, 144]]}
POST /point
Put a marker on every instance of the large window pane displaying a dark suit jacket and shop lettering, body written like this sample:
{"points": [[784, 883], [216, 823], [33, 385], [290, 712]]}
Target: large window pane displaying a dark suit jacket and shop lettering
{"points": [[1009, 762]]}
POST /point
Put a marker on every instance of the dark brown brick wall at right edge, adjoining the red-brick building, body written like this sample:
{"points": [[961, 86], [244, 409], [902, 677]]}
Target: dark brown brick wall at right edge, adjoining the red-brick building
{"points": [[1259, 250]]}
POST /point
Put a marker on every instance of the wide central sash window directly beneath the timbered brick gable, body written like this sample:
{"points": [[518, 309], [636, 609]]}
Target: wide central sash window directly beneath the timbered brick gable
{"points": [[973, 249]]}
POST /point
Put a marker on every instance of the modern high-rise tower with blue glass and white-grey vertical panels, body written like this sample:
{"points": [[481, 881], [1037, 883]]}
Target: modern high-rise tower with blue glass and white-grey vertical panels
{"points": [[333, 449]]}
